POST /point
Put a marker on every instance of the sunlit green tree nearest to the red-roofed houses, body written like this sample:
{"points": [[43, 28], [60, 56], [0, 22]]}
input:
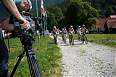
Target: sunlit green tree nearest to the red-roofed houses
{"points": [[89, 14]]}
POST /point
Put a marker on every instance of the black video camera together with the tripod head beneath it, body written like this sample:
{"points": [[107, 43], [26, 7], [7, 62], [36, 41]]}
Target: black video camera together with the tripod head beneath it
{"points": [[26, 36]]}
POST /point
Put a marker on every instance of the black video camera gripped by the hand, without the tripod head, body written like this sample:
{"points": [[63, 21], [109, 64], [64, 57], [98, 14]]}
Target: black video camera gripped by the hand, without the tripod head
{"points": [[17, 23]]}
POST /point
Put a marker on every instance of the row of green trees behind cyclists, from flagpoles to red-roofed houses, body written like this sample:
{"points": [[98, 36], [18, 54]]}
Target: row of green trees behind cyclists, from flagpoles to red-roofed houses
{"points": [[73, 12]]}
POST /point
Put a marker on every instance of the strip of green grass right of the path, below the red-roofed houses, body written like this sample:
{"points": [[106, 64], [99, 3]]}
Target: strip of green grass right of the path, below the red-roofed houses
{"points": [[104, 39]]}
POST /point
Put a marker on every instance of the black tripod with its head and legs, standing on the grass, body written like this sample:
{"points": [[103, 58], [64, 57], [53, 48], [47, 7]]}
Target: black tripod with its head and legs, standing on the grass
{"points": [[26, 40]]}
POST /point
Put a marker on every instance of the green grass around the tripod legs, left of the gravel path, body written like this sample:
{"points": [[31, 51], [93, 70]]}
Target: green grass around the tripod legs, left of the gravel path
{"points": [[48, 56]]}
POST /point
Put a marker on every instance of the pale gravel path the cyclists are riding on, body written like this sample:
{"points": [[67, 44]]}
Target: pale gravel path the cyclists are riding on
{"points": [[89, 60]]}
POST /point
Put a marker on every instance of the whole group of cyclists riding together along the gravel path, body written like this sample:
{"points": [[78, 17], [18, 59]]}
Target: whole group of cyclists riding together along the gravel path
{"points": [[69, 33]]}
